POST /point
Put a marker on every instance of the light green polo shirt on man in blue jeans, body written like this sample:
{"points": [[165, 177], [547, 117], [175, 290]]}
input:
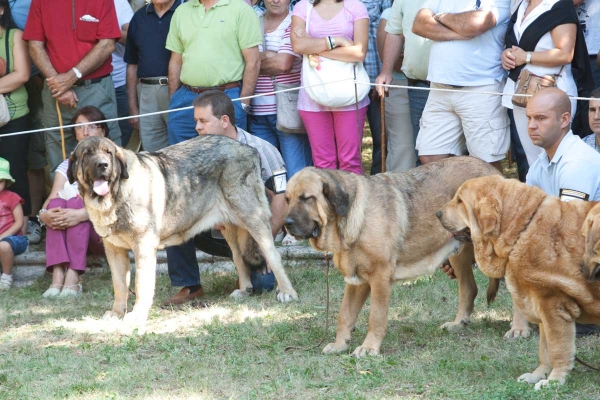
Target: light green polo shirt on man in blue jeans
{"points": [[211, 42]]}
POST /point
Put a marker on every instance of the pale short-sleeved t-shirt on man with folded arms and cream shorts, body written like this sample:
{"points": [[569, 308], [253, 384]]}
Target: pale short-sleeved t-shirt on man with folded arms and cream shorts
{"points": [[474, 62]]}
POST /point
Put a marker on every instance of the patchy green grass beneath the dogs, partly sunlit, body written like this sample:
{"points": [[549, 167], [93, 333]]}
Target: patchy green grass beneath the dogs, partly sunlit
{"points": [[61, 349]]}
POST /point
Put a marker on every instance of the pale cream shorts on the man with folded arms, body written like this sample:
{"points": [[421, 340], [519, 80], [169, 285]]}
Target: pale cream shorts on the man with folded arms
{"points": [[462, 122]]}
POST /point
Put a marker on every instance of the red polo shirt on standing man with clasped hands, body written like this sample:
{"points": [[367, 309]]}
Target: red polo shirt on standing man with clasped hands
{"points": [[69, 37]]}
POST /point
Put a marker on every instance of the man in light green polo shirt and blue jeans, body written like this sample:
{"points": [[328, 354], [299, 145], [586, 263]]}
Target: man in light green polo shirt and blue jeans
{"points": [[214, 45]]}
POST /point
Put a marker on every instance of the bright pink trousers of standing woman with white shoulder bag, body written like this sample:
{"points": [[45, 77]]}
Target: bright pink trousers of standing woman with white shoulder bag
{"points": [[335, 139]]}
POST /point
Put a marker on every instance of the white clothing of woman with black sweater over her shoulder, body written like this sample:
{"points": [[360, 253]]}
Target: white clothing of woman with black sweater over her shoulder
{"points": [[565, 82]]}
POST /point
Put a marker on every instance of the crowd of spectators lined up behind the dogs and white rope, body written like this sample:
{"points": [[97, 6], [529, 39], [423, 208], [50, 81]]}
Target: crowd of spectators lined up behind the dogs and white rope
{"points": [[88, 60]]}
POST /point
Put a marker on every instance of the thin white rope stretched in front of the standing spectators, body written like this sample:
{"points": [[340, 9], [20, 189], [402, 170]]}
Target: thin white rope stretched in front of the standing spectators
{"points": [[282, 91]]}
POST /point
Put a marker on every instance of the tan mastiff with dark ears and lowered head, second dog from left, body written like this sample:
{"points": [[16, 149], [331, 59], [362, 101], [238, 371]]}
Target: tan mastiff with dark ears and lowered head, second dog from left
{"points": [[382, 229]]}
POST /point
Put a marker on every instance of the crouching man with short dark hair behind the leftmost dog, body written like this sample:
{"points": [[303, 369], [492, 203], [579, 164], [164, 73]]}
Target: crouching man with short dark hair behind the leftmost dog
{"points": [[214, 114]]}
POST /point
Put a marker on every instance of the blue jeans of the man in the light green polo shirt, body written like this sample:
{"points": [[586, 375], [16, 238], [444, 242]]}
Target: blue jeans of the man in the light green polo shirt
{"points": [[181, 124]]}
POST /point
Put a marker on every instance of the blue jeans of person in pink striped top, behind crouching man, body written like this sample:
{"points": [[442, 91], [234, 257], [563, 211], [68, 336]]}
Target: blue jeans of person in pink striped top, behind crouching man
{"points": [[294, 147]]}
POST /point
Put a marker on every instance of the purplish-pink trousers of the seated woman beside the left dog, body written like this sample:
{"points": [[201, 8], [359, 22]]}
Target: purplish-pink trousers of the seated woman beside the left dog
{"points": [[70, 246]]}
